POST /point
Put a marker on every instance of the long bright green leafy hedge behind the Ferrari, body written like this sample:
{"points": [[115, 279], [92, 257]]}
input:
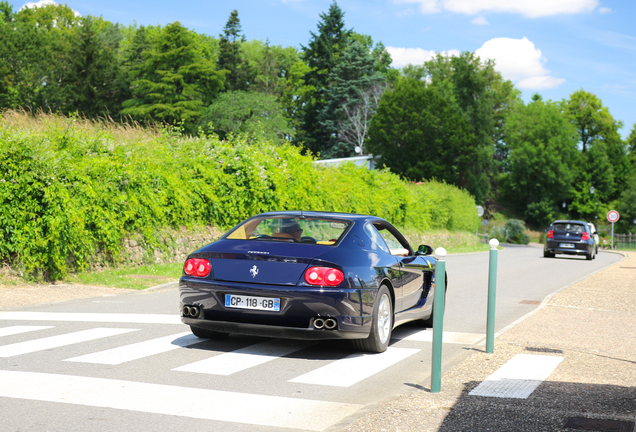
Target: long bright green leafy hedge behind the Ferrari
{"points": [[70, 188]]}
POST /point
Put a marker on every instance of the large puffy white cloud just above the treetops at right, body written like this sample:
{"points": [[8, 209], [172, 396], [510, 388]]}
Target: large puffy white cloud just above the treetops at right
{"points": [[519, 61]]}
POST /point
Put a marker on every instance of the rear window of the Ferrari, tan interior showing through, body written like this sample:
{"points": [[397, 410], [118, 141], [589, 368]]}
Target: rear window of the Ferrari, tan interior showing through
{"points": [[323, 231]]}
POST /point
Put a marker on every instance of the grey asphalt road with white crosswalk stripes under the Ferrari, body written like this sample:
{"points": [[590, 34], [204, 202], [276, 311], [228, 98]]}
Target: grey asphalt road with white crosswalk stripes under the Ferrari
{"points": [[126, 363]]}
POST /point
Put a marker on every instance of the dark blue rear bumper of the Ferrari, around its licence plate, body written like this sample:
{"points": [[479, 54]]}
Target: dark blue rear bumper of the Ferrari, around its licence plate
{"points": [[299, 307]]}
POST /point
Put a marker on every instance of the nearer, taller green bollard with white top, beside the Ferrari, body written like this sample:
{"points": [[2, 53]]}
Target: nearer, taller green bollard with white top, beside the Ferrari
{"points": [[438, 320]]}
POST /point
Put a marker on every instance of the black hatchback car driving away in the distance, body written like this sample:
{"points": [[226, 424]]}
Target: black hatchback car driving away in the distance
{"points": [[570, 238]]}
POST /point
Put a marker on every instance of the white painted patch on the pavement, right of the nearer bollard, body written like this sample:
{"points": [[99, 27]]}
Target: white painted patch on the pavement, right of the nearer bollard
{"points": [[519, 377]]}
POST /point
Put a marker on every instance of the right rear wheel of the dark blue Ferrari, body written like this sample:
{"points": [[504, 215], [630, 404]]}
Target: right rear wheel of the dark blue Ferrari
{"points": [[381, 324]]}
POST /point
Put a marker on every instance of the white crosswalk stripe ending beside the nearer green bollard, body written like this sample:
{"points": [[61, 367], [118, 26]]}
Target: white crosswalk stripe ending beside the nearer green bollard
{"points": [[354, 368]]}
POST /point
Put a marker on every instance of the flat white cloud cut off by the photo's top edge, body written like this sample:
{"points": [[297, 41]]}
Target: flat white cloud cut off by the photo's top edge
{"points": [[527, 8]]}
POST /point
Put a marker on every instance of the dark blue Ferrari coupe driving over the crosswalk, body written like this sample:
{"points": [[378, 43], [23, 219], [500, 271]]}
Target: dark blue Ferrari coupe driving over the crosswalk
{"points": [[308, 275]]}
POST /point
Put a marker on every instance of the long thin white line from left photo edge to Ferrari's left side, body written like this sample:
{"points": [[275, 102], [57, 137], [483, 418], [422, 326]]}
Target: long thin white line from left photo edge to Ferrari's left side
{"points": [[91, 317]]}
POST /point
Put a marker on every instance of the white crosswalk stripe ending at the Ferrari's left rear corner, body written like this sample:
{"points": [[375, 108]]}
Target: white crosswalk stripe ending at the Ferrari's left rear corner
{"points": [[139, 350]]}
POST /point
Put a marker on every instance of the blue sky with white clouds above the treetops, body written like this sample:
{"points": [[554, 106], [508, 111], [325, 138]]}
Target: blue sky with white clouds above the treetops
{"points": [[553, 47]]}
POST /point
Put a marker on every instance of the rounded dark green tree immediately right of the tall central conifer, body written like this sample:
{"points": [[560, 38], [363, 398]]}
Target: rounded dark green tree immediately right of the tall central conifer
{"points": [[419, 135]]}
